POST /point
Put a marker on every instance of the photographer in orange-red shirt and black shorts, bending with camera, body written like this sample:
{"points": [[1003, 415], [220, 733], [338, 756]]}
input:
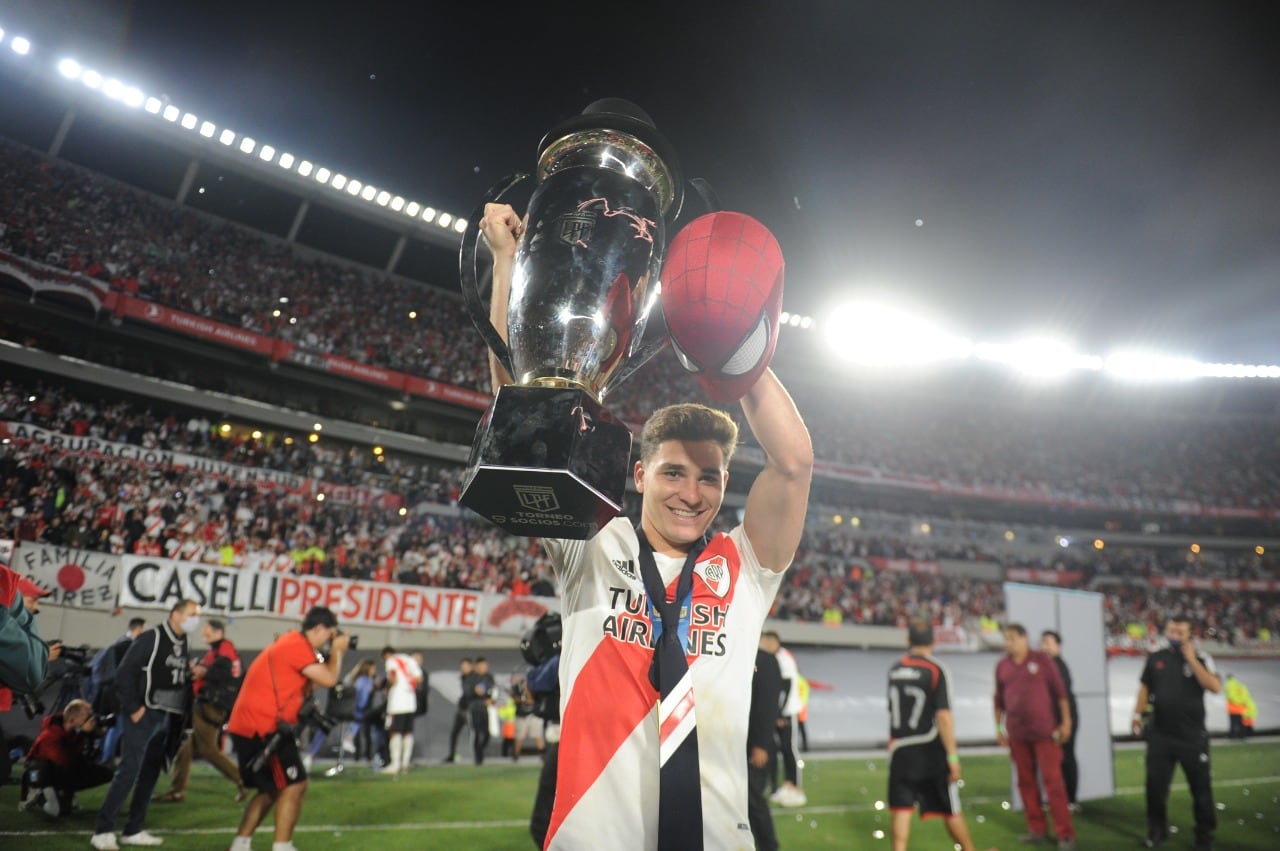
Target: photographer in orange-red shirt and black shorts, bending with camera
{"points": [[267, 717]]}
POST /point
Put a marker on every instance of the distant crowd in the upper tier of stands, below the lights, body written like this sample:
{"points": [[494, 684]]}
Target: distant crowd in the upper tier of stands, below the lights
{"points": [[71, 219]]}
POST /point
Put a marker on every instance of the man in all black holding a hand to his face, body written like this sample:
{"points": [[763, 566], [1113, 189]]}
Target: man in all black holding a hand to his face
{"points": [[1174, 683]]}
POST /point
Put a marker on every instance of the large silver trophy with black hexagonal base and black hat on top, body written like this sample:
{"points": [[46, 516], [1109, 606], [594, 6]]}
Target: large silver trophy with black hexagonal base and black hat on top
{"points": [[548, 459]]}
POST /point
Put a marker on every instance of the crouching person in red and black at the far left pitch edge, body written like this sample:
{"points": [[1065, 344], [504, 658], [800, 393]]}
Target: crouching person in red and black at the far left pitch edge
{"points": [[61, 761]]}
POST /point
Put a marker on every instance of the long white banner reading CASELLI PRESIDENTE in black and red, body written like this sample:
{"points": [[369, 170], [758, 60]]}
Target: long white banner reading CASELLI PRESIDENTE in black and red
{"points": [[159, 584]]}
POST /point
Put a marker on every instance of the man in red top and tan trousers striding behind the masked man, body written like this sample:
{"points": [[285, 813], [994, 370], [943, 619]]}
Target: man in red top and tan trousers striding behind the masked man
{"points": [[216, 685]]}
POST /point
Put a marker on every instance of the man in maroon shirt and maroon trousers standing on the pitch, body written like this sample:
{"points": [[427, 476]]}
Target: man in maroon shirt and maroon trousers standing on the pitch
{"points": [[1028, 688]]}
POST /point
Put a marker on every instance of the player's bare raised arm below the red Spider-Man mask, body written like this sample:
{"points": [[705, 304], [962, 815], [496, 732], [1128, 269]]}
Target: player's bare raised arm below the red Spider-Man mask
{"points": [[780, 496]]}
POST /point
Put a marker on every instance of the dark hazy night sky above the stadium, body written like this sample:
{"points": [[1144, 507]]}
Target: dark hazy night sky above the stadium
{"points": [[1105, 171]]}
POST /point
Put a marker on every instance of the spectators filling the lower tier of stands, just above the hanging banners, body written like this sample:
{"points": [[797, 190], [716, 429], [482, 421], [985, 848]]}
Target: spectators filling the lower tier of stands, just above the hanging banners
{"points": [[113, 505]]}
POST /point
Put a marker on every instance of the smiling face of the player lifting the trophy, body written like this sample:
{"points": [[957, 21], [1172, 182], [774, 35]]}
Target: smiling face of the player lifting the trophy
{"points": [[683, 484]]}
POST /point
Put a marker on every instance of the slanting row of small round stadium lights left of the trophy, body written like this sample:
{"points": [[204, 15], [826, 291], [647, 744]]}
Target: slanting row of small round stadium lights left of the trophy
{"points": [[134, 98]]}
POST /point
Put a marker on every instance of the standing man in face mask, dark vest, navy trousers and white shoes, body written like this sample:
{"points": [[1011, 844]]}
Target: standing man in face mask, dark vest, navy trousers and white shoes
{"points": [[154, 687]]}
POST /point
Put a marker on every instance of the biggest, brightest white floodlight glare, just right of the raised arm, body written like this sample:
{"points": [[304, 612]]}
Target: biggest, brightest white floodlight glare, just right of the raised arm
{"points": [[886, 336]]}
